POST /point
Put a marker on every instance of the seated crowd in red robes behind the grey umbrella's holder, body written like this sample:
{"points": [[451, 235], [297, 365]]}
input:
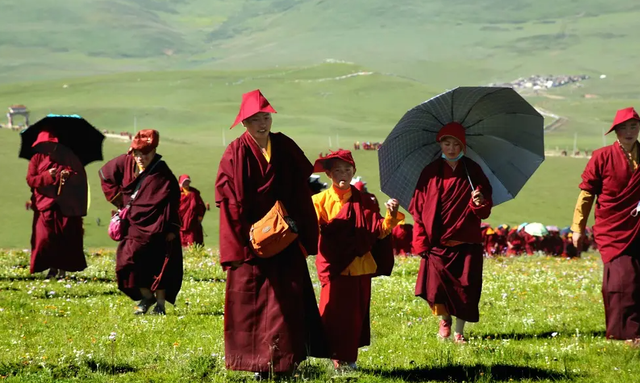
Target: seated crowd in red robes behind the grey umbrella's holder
{"points": [[506, 241]]}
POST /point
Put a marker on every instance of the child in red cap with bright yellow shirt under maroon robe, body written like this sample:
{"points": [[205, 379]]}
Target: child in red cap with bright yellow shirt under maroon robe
{"points": [[352, 250]]}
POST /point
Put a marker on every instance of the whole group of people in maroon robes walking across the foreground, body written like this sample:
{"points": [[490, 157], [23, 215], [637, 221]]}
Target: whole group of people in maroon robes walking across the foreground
{"points": [[270, 222]]}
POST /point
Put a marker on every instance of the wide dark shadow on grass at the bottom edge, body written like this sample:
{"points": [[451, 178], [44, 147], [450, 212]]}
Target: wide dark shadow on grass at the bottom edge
{"points": [[458, 373]]}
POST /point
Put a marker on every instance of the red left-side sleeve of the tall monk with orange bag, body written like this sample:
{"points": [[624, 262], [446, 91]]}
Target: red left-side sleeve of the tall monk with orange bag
{"points": [[234, 235]]}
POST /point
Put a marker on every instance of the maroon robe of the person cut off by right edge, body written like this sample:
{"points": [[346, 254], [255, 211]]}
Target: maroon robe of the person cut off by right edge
{"points": [[617, 186]]}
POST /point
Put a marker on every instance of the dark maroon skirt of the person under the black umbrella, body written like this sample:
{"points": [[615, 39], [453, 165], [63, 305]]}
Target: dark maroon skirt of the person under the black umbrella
{"points": [[56, 242]]}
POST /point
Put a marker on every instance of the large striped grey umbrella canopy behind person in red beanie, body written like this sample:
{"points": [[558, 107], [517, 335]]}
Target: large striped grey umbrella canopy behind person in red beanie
{"points": [[505, 136]]}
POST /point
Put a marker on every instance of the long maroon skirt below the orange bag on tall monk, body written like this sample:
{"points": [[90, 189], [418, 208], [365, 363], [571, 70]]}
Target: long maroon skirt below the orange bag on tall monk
{"points": [[271, 318]]}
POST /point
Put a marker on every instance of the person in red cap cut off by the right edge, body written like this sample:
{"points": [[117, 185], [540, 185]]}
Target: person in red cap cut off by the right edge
{"points": [[611, 174]]}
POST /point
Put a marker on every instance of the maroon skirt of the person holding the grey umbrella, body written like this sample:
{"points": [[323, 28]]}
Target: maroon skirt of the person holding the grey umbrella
{"points": [[452, 276]]}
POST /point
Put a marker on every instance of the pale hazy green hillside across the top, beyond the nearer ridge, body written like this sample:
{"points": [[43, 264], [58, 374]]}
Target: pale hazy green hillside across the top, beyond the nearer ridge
{"points": [[440, 42]]}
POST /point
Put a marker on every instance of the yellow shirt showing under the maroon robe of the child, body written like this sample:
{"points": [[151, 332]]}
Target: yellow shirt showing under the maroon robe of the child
{"points": [[328, 204]]}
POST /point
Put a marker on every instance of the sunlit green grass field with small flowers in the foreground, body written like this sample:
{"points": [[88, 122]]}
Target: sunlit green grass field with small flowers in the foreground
{"points": [[542, 320]]}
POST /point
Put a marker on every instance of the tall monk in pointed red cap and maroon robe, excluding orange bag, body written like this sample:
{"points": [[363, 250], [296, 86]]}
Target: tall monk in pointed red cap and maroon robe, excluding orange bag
{"points": [[271, 319]]}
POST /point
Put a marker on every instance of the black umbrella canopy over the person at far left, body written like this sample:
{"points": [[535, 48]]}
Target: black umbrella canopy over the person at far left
{"points": [[72, 131]]}
